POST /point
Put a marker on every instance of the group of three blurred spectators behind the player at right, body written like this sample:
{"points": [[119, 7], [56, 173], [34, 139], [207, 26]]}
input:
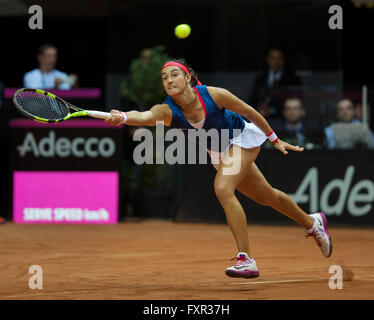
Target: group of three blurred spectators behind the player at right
{"points": [[288, 115]]}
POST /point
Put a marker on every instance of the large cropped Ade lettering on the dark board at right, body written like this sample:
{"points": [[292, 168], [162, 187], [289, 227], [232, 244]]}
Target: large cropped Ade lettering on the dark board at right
{"points": [[362, 192]]}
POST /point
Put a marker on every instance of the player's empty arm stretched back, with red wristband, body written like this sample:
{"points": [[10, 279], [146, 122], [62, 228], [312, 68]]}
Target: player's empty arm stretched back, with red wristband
{"points": [[224, 98]]}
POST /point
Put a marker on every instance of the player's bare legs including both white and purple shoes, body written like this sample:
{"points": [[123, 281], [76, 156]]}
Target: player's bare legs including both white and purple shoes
{"points": [[250, 181]]}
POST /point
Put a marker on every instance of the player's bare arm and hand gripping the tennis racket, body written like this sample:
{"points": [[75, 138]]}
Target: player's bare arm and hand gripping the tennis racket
{"points": [[159, 112]]}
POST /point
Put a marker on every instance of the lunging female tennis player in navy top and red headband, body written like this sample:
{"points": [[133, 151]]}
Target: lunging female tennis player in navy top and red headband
{"points": [[191, 105]]}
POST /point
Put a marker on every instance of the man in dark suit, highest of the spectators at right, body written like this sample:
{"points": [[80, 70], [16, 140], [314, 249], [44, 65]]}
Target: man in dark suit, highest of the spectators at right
{"points": [[275, 77]]}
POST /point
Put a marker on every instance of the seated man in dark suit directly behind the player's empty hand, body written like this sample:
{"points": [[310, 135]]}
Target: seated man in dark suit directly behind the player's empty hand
{"points": [[293, 128]]}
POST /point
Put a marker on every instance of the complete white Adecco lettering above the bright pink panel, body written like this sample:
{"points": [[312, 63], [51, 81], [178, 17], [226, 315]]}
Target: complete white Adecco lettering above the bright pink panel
{"points": [[63, 147]]}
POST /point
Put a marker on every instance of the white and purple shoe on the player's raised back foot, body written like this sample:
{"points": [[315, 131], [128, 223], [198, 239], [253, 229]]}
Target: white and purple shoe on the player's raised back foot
{"points": [[320, 234]]}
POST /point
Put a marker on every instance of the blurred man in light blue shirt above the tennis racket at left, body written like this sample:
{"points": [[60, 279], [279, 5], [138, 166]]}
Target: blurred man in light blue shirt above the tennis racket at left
{"points": [[46, 76]]}
